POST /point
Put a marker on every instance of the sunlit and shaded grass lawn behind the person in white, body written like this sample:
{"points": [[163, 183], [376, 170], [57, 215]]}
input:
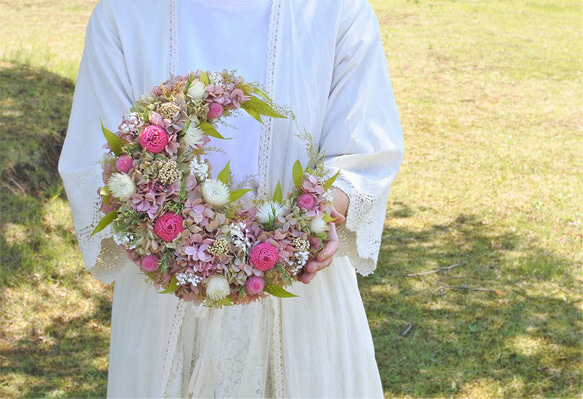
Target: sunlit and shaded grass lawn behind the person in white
{"points": [[491, 101]]}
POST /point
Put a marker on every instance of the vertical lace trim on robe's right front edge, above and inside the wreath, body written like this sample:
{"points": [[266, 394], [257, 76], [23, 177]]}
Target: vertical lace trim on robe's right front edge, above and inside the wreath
{"points": [[267, 131]]}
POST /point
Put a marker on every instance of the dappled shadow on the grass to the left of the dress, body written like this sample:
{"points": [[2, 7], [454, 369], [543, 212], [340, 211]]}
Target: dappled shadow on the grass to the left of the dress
{"points": [[59, 348]]}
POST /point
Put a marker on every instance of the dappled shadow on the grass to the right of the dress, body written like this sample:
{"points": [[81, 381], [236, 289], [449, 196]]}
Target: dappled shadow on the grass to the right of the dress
{"points": [[520, 340]]}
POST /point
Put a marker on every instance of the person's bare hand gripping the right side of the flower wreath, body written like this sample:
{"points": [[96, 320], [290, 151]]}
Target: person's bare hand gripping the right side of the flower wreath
{"points": [[324, 258]]}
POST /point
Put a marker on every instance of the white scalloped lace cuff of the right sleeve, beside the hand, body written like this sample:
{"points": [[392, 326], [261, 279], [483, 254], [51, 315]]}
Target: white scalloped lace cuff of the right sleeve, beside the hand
{"points": [[359, 239]]}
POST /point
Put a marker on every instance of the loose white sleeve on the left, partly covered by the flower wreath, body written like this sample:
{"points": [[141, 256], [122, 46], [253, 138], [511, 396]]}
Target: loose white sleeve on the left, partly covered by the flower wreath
{"points": [[102, 92]]}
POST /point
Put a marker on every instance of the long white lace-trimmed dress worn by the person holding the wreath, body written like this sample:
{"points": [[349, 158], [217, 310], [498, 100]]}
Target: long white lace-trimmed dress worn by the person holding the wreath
{"points": [[324, 60]]}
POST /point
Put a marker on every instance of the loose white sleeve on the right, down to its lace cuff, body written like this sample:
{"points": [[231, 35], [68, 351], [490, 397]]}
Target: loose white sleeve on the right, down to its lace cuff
{"points": [[362, 135]]}
